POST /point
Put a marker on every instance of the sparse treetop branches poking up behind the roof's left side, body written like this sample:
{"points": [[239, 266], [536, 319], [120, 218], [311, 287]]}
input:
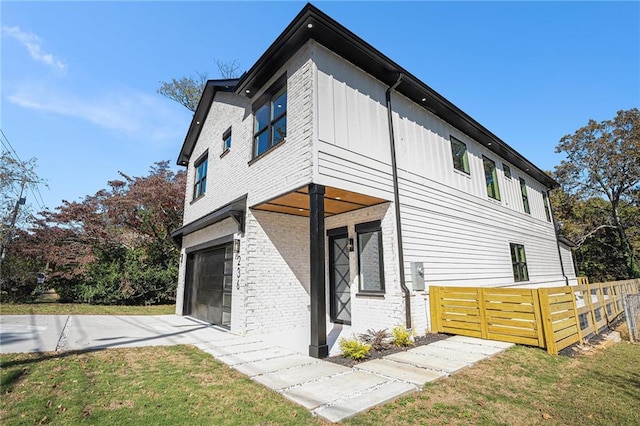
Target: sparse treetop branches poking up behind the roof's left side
{"points": [[187, 90]]}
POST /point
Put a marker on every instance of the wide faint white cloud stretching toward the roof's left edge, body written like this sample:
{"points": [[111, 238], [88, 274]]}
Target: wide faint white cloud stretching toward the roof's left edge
{"points": [[131, 112]]}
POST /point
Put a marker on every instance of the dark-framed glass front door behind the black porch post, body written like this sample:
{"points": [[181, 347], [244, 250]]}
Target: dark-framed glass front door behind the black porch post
{"points": [[339, 278]]}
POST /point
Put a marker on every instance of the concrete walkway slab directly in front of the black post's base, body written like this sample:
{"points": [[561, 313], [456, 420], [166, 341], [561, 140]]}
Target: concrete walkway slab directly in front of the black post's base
{"points": [[298, 375]]}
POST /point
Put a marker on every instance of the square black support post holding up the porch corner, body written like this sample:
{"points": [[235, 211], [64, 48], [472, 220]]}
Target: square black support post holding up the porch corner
{"points": [[318, 347]]}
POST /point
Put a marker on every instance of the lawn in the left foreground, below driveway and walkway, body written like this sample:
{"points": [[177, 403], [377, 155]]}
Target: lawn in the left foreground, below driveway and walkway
{"points": [[175, 385]]}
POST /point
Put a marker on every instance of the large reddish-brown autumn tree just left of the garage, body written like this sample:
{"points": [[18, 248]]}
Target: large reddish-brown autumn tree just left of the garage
{"points": [[115, 246]]}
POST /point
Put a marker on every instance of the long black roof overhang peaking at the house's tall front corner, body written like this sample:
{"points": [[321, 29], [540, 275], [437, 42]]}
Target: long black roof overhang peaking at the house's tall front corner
{"points": [[338, 39]]}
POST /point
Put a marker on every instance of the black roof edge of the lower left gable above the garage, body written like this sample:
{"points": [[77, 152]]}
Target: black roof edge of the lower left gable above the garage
{"points": [[200, 115]]}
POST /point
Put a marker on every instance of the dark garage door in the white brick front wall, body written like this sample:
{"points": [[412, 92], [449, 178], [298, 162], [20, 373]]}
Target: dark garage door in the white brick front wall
{"points": [[209, 285]]}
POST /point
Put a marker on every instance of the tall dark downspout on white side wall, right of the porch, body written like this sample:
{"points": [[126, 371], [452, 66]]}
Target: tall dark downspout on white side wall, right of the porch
{"points": [[396, 201]]}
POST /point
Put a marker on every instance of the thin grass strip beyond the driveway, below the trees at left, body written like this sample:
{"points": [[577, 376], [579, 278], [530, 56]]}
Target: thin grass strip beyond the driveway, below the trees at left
{"points": [[56, 308]]}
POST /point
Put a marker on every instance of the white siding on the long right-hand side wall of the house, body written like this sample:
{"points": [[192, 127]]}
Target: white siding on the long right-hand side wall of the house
{"points": [[448, 222]]}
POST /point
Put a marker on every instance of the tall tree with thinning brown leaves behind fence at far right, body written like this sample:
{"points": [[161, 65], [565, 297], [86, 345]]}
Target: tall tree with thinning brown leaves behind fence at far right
{"points": [[603, 160]]}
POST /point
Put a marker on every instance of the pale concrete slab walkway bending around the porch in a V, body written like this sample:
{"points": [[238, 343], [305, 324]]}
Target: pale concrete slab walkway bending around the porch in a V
{"points": [[335, 392]]}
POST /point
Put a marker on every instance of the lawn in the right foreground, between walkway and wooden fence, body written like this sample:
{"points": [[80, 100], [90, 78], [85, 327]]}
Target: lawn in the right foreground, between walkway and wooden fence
{"points": [[527, 386]]}
